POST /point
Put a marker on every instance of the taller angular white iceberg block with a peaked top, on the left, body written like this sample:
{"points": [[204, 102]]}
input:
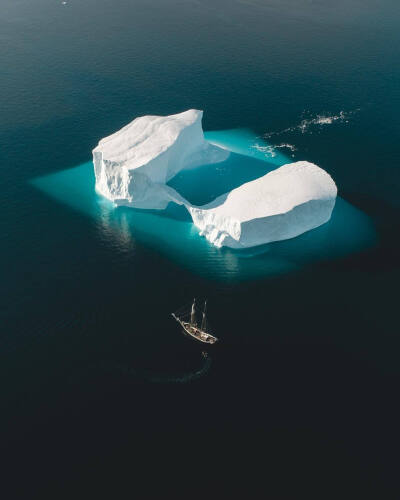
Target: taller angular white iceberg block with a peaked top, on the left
{"points": [[133, 165]]}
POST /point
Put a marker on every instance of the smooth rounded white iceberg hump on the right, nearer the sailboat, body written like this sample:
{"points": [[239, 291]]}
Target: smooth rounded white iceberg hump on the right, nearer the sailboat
{"points": [[280, 205]]}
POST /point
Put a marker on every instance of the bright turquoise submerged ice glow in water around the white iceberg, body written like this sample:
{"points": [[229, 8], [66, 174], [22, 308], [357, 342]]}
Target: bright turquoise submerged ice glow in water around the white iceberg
{"points": [[171, 233]]}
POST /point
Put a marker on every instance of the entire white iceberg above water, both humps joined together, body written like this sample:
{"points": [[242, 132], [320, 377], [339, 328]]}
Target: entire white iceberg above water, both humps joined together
{"points": [[133, 166]]}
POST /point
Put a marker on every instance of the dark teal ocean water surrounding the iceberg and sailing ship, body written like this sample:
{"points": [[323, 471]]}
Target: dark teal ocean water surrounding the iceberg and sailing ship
{"points": [[100, 391]]}
